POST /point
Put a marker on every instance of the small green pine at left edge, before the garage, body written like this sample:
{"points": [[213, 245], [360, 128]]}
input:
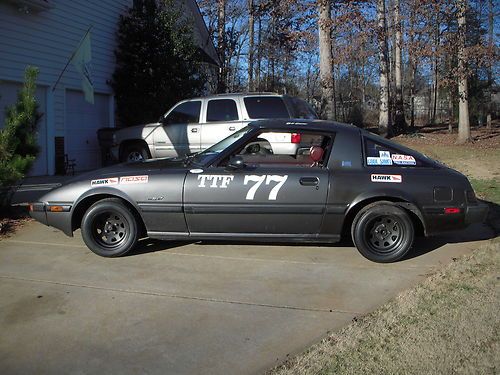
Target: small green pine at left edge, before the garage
{"points": [[18, 144]]}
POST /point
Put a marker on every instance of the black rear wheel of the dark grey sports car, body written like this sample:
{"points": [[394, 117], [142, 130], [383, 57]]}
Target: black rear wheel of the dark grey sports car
{"points": [[383, 232]]}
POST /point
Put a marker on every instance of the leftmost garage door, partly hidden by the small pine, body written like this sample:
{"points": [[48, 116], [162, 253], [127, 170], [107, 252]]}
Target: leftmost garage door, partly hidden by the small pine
{"points": [[8, 96]]}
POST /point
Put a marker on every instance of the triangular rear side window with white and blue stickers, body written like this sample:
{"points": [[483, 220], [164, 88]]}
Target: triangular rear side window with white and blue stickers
{"points": [[379, 154]]}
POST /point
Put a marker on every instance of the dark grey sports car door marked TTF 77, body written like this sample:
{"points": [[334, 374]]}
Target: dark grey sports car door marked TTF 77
{"points": [[277, 195]]}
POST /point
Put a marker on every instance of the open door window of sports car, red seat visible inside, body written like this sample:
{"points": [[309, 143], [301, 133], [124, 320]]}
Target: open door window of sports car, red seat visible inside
{"points": [[299, 149]]}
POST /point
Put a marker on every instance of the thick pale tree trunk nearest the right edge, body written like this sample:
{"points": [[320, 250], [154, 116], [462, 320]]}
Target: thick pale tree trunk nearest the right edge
{"points": [[463, 104]]}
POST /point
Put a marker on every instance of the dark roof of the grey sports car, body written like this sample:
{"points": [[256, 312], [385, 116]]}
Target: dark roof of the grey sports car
{"points": [[304, 124]]}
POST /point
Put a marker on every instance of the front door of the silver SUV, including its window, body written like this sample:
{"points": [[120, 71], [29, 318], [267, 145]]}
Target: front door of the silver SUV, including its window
{"points": [[180, 133]]}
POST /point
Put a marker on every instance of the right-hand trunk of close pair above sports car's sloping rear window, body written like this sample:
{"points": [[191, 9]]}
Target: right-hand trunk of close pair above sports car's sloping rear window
{"points": [[400, 122]]}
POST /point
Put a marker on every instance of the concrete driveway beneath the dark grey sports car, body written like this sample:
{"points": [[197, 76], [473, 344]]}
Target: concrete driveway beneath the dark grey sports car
{"points": [[188, 308]]}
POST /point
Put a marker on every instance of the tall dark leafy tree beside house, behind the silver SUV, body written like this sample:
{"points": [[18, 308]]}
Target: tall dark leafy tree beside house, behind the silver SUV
{"points": [[155, 61]]}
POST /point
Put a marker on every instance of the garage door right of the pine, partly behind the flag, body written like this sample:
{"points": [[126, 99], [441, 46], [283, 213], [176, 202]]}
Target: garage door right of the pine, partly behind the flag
{"points": [[82, 121]]}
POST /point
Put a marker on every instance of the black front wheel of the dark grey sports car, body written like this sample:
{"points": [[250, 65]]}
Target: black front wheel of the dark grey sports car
{"points": [[109, 228]]}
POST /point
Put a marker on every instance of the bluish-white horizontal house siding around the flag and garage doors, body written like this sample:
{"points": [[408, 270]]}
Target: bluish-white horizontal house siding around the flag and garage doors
{"points": [[47, 39]]}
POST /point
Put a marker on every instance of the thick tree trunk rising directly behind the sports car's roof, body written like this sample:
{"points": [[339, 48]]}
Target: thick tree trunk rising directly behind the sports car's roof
{"points": [[325, 57]]}
